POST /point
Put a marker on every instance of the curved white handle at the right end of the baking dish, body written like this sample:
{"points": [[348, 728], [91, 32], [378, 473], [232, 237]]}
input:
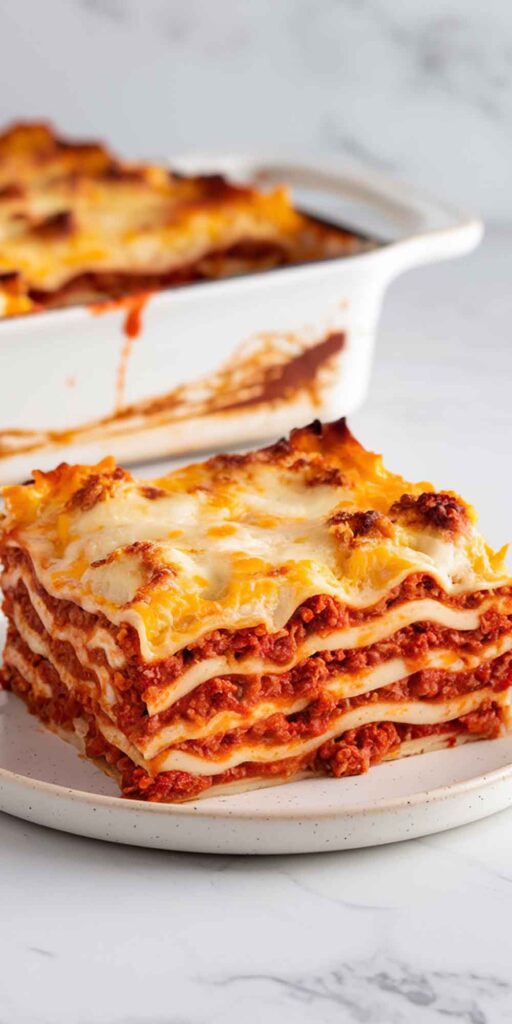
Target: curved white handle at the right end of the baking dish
{"points": [[421, 229]]}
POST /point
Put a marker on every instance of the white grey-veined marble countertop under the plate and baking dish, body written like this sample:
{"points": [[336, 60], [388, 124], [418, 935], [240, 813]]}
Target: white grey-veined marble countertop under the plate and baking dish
{"points": [[419, 932]]}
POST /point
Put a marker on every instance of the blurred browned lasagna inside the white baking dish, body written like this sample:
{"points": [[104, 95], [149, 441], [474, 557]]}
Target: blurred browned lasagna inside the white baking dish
{"points": [[79, 226]]}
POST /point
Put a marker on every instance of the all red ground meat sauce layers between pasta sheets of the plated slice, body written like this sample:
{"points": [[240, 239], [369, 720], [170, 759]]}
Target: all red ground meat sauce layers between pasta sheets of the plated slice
{"points": [[354, 753]]}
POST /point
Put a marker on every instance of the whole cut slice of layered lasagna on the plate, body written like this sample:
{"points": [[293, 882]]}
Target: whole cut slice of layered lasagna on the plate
{"points": [[290, 613]]}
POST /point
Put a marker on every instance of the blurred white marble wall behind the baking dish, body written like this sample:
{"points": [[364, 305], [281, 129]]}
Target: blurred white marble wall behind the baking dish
{"points": [[423, 91]]}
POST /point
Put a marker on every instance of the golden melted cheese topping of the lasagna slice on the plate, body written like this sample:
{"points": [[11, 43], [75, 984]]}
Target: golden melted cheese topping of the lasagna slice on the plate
{"points": [[243, 540]]}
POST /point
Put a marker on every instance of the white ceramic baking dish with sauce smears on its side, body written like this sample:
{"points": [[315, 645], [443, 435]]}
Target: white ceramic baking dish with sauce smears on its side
{"points": [[221, 363]]}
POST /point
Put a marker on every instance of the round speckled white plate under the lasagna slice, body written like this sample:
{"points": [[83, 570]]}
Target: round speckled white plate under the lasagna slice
{"points": [[44, 780]]}
